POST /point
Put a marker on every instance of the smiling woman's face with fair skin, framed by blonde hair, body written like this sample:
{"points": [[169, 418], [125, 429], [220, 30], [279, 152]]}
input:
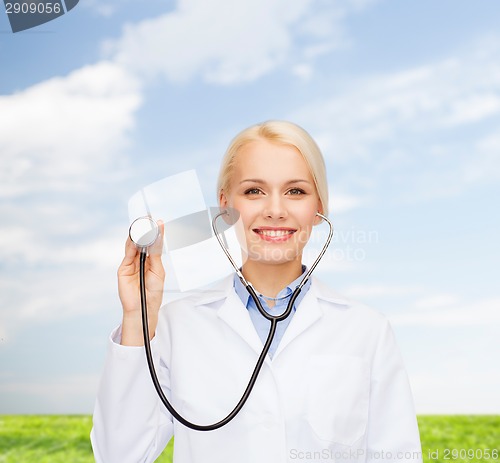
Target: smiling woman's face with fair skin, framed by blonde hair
{"points": [[276, 197]]}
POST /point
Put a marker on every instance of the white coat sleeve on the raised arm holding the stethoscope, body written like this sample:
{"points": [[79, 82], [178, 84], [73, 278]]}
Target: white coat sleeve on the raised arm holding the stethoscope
{"points": [[130, 423]]}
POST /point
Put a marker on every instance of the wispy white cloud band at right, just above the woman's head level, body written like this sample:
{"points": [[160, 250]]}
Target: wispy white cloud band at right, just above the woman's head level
{"points": [[417, 100]]}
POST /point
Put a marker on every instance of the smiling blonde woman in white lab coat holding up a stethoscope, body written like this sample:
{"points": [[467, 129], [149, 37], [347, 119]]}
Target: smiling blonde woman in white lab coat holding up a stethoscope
{"points": [[333, 386]]}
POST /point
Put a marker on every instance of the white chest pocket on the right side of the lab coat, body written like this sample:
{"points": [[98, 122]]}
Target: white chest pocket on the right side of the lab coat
{"points": [[338, 397]]}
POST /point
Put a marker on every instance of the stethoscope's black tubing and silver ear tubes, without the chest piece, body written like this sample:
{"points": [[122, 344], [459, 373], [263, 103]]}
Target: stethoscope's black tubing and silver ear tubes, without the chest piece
{"points": [[274, 319]]}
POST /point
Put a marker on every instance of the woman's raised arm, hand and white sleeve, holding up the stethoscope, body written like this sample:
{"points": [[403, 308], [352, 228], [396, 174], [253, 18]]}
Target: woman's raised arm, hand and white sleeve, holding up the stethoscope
{"points": [[130, 425]]}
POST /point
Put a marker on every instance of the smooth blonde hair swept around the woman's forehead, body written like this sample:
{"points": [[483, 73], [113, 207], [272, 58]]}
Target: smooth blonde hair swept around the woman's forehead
{"points": [[285, 133]]}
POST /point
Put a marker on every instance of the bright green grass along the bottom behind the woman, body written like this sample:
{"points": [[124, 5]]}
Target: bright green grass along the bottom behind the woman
{"points": [[65, 439]]}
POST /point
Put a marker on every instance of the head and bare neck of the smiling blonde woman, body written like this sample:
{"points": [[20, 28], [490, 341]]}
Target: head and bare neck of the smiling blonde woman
{"points": [[275, 176]]}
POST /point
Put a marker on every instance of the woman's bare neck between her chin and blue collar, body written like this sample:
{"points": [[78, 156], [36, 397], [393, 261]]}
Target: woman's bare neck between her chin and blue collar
{"points": [[270, 279]]}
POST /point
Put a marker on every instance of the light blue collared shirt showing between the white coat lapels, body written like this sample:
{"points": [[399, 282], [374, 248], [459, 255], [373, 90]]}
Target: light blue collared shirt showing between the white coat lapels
{"points": [[262, 324]]}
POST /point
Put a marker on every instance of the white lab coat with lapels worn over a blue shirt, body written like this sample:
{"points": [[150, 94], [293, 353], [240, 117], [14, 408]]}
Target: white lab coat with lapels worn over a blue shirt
{"points": [[335, 390]]}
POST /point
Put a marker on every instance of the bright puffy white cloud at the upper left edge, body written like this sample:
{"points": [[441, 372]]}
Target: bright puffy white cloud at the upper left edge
{"points": [[61, 132]]}
